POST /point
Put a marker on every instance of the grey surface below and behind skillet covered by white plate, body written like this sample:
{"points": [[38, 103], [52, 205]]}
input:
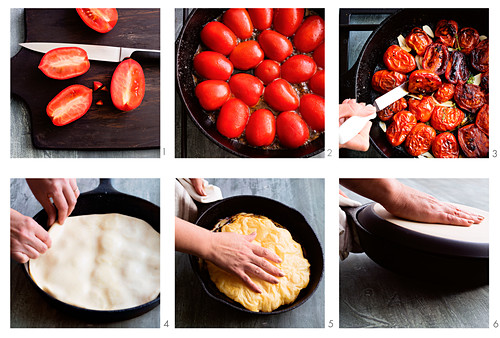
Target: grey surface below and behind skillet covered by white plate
{"points": [[371, 296]]}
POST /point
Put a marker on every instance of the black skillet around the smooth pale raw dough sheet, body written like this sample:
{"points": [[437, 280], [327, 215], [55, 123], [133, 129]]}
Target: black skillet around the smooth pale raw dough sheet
{"points": [[102, 200]]}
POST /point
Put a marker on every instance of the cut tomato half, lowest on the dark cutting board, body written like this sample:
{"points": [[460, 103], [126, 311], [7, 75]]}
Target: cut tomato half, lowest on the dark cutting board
{"points": [[69, 105]]}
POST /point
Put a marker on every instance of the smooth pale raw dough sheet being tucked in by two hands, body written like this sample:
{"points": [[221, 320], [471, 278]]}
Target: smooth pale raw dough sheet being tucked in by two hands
{"points": [[100, 262]]}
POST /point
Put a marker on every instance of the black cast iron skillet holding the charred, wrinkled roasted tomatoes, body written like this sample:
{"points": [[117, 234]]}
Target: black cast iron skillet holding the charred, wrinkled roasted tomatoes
{"points": [[371, 57]]}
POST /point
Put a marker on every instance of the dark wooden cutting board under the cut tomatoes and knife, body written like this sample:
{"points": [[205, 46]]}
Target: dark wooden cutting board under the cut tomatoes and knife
{"points": [[103, 126]]}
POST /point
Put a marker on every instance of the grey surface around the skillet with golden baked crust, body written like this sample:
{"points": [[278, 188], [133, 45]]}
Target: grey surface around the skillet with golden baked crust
{"points": [[194, 308]]}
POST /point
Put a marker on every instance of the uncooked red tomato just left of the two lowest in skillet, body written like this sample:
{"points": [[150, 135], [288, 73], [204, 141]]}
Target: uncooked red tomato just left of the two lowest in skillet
{"points": [[232, 118]]}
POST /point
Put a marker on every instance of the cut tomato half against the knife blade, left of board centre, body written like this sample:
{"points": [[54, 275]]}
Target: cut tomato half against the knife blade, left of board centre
{"points": [[64, 63]]}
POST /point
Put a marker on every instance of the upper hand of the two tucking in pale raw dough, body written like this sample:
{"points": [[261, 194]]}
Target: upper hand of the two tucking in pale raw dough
{"points": [[64, 193]]}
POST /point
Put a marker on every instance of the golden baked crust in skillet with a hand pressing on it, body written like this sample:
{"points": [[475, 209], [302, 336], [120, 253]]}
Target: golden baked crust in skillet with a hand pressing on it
{"points": [[294, 265]]}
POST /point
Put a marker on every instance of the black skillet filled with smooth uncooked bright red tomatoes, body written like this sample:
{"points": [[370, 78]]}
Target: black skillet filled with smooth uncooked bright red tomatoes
{"points": [[186, 46]]}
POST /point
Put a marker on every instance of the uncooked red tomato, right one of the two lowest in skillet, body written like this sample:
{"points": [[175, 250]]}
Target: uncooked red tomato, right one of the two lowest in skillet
{"points": [[291, 129]]}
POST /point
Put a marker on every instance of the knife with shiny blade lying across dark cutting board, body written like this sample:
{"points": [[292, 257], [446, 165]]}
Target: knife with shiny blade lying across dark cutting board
{"points": [[95, 52]]}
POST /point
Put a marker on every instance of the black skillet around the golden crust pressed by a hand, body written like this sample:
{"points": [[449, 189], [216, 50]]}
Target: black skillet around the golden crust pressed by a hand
{"points": [[289, 218]]}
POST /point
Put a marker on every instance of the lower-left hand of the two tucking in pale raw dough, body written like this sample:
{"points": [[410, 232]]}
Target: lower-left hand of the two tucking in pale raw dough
{"points": [[27, 238]]}
